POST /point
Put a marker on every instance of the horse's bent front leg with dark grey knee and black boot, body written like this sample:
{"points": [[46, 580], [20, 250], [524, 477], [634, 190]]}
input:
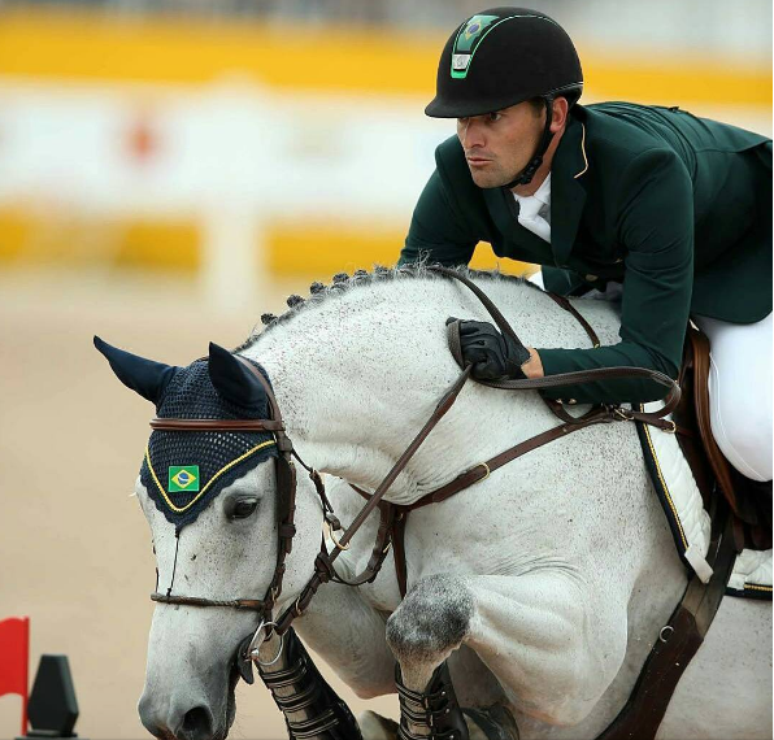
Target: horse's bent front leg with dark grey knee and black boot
{"points": [[538, 634]]}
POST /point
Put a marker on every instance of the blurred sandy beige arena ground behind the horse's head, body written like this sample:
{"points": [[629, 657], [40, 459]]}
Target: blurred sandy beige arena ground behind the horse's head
{"points": [[75, 551]]}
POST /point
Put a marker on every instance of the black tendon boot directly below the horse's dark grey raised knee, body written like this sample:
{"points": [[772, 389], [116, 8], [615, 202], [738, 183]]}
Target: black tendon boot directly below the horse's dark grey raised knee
{"points": [[435, 713]]}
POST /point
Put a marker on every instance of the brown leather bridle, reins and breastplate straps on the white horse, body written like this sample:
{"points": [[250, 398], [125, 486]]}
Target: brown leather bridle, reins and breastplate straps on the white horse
{"points": [[324, 570]]}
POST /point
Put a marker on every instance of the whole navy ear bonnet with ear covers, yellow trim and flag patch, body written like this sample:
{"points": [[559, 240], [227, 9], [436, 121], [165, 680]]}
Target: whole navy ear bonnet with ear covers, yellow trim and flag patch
{"points": [[184, 471]]}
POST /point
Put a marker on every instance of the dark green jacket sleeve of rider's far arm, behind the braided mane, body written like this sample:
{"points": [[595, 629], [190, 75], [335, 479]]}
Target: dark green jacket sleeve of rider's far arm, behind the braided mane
{"points": [[438, 229]]}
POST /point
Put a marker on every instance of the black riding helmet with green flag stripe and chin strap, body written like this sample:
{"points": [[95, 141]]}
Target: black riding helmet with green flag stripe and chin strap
{"points": [[502, 57]]}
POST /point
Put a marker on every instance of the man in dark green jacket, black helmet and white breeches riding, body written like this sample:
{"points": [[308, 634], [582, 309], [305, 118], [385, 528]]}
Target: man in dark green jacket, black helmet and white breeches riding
{"points": [[671, 211]]}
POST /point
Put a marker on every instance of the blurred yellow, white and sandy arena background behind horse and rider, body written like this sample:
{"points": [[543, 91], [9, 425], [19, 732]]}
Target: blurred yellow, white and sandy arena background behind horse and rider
{"points": [[171, 169]]}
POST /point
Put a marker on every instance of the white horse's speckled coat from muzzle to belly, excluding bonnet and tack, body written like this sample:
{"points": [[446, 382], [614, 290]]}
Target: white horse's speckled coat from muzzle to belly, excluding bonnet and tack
{"points": [[545, 585]]}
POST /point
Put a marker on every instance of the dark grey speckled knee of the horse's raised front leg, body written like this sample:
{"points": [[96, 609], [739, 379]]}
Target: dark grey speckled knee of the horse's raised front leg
{"points": [[432, 620]]}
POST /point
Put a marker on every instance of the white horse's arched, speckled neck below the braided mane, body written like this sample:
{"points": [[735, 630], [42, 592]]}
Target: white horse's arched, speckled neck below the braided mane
{"points": [[357, 376]]}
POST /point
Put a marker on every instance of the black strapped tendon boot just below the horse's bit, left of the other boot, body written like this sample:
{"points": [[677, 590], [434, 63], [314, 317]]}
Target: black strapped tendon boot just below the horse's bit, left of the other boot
{"points": [[312, 709]]}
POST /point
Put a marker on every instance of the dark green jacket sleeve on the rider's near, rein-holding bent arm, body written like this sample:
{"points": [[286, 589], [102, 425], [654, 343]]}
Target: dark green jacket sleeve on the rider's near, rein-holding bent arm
{"points": [[655, 229]]}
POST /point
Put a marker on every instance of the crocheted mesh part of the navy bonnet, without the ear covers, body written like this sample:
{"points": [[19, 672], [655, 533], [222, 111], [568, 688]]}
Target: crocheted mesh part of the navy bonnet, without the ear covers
{"points": [[184, 471]]}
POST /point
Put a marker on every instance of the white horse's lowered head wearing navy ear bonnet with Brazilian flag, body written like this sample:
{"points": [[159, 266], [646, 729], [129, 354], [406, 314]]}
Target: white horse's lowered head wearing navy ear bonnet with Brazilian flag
{"points": [[211, 499]]}
